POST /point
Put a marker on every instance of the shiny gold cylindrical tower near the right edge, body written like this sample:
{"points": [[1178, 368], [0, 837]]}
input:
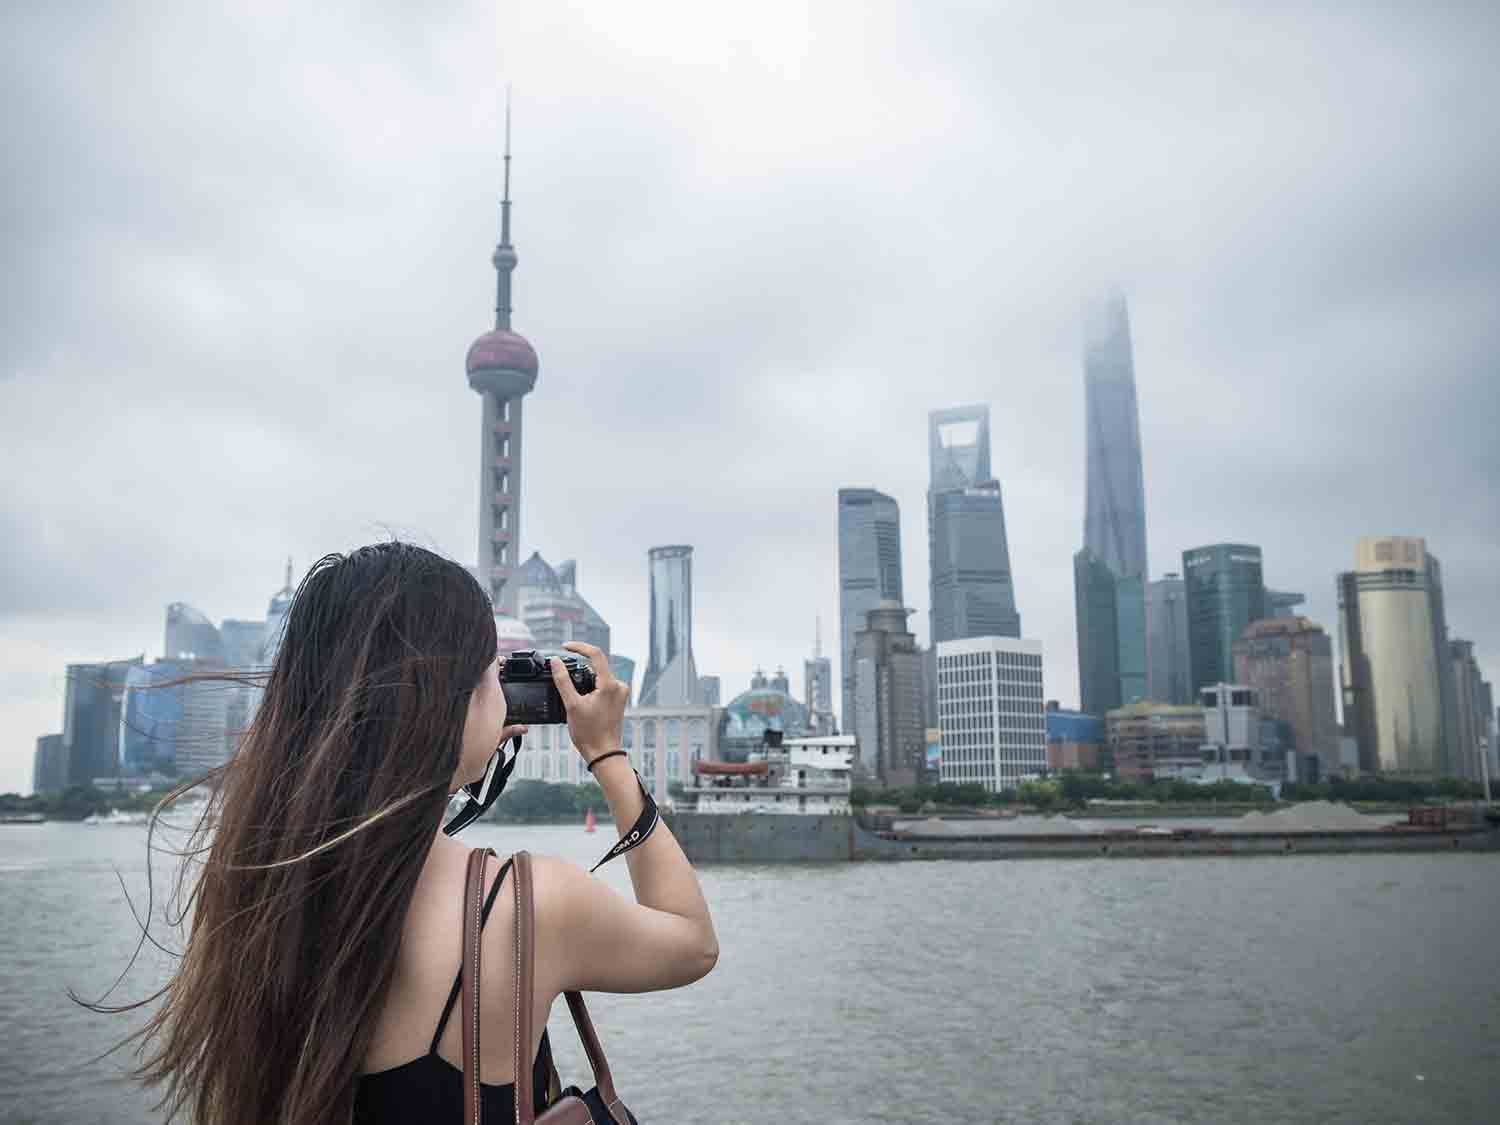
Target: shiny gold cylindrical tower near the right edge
{"points": [[1396, 659]]}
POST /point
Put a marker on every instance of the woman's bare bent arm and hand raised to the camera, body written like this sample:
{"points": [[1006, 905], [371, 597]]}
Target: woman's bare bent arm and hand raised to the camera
{"points": [[589, 937]]}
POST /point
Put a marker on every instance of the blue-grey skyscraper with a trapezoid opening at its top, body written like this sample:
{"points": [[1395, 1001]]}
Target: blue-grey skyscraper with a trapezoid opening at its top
{"points": [[973, 593]]}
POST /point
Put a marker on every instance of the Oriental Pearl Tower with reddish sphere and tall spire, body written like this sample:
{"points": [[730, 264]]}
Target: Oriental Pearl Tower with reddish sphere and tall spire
{"points": [[503, 368]]}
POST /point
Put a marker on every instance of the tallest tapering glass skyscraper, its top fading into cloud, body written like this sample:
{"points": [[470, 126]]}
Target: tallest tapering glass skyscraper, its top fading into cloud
{"points": [[1111, 569]]}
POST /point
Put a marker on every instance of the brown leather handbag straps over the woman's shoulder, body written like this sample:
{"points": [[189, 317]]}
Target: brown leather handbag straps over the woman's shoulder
{"points": [[599, 1106]]}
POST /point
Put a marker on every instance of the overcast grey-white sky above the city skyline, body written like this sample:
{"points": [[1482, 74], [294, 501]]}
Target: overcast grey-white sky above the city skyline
{"points": [[245, 256]]}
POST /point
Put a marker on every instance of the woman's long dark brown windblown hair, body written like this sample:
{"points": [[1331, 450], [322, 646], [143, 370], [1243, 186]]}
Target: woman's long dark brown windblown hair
{"points": [[314, 841]]}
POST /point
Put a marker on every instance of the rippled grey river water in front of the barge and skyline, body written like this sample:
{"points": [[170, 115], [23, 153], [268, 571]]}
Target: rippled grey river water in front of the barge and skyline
{"points": [[1289, 989]]}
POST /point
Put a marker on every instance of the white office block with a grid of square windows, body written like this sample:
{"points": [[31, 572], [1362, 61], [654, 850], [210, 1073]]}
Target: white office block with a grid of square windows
{"points": [[992, 712]]}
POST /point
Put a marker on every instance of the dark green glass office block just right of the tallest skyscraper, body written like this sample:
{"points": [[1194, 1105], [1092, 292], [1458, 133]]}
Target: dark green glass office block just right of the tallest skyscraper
{"points": [[1226, 592]]}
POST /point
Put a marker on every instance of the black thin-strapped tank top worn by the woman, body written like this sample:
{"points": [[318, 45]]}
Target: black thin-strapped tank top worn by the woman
{"points": [[431, 1088]]}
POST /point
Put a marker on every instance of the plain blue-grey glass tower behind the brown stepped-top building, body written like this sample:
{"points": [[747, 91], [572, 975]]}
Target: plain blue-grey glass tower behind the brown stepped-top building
{"points": [[869, 574]]}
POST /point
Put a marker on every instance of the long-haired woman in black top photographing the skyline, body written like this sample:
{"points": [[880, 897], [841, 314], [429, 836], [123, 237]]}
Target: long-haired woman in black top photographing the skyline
{"points": [[329, 911]]}
